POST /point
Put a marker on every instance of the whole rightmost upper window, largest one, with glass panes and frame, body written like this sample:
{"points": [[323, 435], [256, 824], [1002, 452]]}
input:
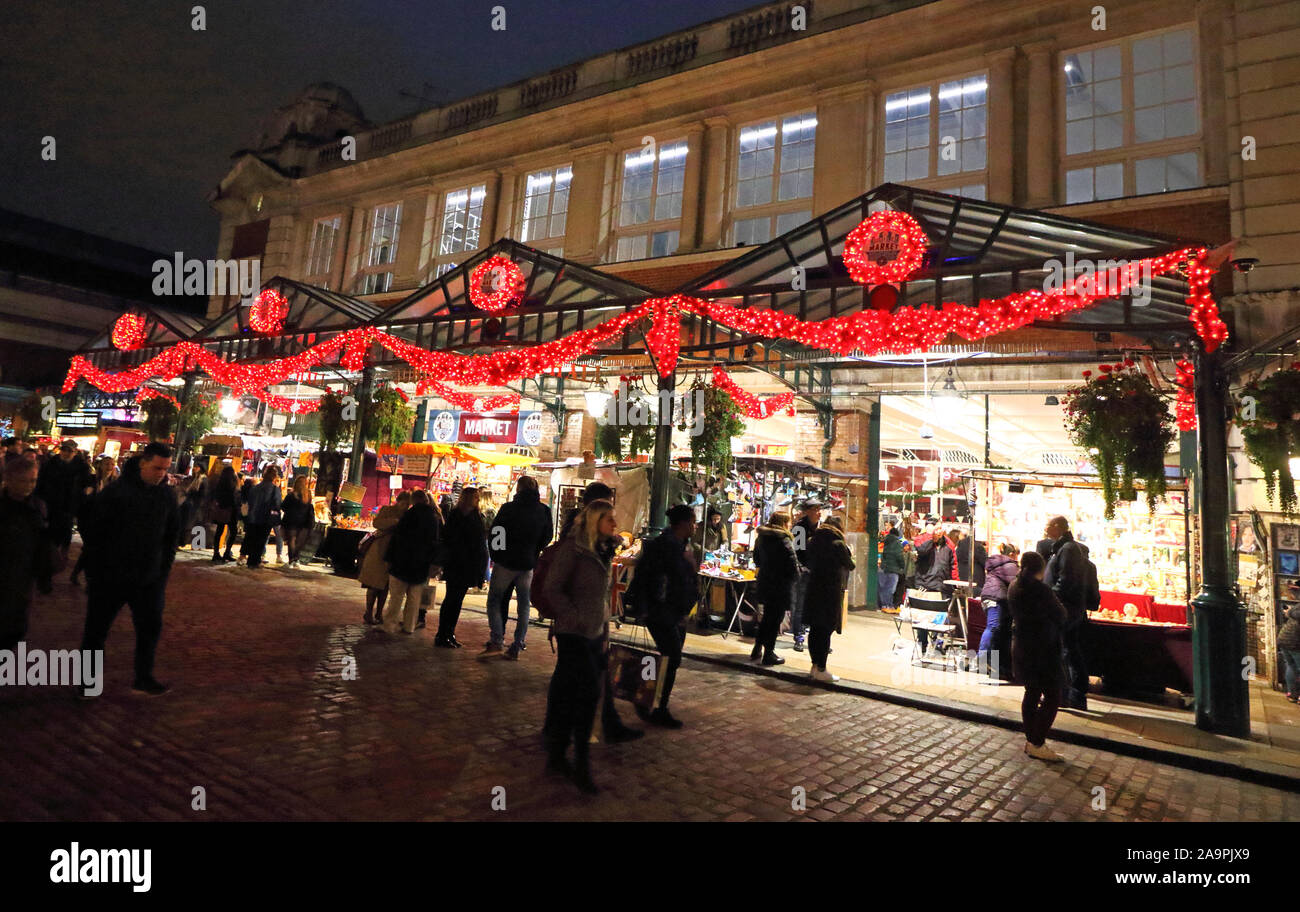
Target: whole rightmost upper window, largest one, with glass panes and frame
{"points": [[1132, 123]]}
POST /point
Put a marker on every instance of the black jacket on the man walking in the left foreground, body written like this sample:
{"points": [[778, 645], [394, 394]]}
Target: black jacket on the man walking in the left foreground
{"points": [[131, 532]]}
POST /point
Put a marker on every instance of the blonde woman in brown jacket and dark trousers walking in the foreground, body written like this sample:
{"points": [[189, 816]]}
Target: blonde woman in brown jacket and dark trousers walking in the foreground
{"points": [[578, 588]]}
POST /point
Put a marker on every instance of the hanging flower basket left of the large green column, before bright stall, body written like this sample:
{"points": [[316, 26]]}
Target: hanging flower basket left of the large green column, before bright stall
{"points": [[1123, 422]]}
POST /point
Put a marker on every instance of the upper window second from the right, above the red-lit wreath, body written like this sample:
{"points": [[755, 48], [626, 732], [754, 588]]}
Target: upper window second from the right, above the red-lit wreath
{"points": [[938, 132]]}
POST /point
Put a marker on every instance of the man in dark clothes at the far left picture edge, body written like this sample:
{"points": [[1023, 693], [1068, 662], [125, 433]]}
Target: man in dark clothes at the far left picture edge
{"points": [[25, 550]]}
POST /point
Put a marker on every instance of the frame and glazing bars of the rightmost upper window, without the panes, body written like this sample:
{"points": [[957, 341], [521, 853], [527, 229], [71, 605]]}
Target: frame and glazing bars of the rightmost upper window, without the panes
{"points": [[1129, 153]]}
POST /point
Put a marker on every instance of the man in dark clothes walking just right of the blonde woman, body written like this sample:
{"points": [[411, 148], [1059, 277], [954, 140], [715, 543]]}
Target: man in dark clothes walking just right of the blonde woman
{"points": [[666, 587]]}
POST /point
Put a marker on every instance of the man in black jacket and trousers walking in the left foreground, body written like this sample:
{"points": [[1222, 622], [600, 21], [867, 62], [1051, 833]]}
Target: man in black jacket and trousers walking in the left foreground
{"points": [[132, 529]]}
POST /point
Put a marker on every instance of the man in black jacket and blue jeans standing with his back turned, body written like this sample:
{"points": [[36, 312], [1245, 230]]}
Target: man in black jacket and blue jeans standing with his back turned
{"points": [[518, 535]]}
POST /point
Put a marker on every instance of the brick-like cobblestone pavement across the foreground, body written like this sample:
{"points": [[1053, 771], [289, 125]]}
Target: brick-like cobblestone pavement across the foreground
{"points": [[262, 718]]}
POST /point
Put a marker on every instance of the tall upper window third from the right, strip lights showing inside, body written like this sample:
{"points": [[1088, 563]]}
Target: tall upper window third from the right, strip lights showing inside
{"points": [[774, 179]]}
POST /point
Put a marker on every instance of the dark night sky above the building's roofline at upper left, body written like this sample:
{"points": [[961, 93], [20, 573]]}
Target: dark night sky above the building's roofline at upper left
{"points": [[146, 111]]}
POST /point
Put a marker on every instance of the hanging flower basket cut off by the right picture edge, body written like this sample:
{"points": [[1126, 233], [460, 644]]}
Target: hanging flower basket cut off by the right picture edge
{"points": [[1269, 416]]}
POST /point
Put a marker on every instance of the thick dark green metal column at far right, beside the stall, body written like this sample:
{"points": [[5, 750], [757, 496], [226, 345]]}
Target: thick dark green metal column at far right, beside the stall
{"points": [[1219, 620]]}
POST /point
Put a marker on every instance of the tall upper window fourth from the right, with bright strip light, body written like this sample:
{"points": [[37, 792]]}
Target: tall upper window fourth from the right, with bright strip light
{"points": [[651, 202]]}
